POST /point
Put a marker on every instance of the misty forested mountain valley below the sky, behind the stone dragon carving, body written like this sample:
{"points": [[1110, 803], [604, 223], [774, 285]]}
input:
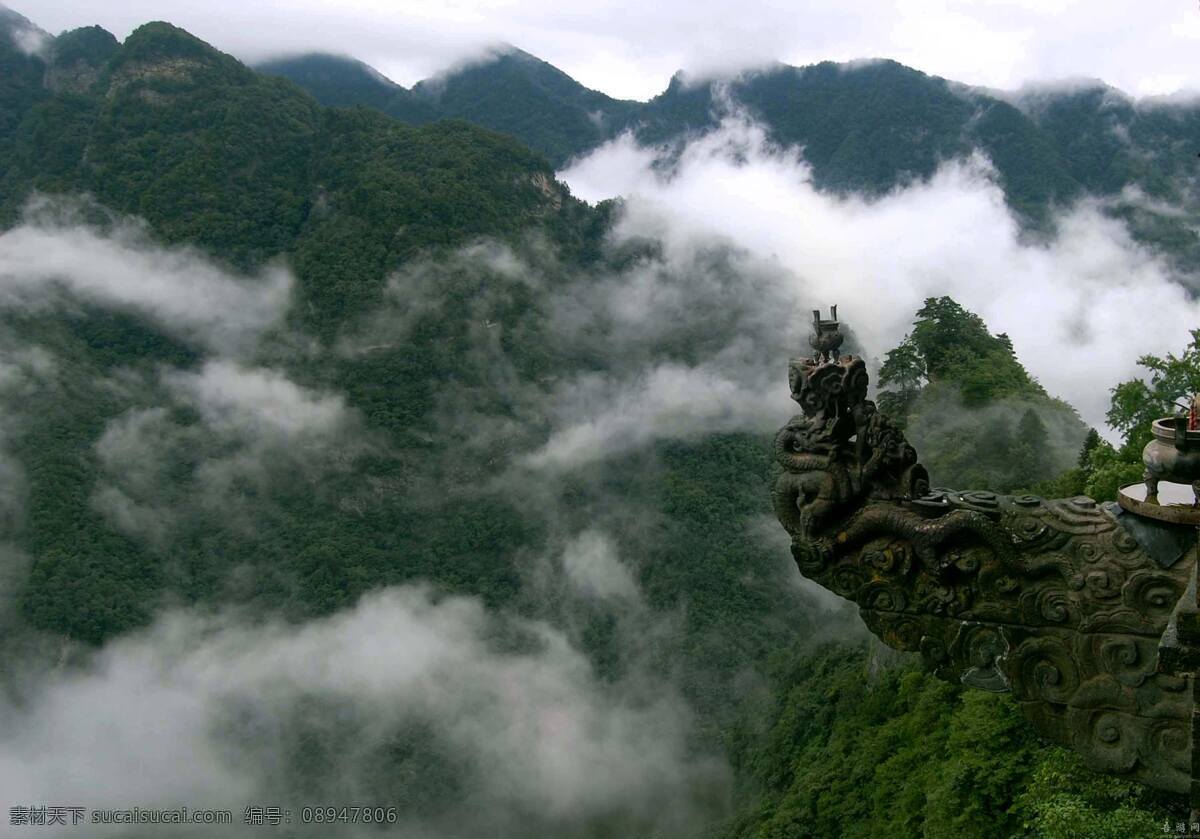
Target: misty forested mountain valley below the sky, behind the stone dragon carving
{"points": [[413, 446]]}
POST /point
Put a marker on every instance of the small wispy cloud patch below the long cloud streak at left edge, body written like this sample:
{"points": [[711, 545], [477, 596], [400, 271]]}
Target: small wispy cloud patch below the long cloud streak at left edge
{"points": [[253, 428]]}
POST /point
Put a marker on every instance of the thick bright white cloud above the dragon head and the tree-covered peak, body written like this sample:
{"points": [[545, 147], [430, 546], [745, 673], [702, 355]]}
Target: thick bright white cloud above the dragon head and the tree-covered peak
{"points": [[1070, 305]]}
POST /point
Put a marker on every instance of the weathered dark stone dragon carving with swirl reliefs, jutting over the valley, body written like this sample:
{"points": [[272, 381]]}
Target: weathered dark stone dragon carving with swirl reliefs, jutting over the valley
{"points": [[1059, 602]]}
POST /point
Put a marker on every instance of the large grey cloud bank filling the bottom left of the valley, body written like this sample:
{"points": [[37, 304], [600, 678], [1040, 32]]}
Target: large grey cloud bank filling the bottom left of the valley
{"points": [[195, 709]]}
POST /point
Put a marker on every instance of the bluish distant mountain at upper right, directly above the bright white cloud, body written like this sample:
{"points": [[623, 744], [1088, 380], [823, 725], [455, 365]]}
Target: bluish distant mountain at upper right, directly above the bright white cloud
{"points": [[867, 128]]}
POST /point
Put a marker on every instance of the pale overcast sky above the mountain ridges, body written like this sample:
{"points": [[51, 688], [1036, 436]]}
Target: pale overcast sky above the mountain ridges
{"points": [[631, 49]]}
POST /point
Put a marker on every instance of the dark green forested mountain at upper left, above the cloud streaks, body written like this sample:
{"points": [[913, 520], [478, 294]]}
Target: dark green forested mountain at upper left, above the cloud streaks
{"points": [[274, 188]]}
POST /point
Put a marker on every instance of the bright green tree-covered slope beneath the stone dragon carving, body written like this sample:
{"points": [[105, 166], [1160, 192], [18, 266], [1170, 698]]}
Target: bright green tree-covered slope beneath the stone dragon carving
{"points": [[909, 756]]}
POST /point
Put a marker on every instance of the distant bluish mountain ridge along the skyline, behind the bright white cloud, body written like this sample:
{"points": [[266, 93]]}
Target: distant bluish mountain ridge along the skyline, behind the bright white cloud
{"points": [[865, 127]]}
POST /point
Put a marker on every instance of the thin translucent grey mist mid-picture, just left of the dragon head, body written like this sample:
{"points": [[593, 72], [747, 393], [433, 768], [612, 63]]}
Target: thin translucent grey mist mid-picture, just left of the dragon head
{"points": [[670, 338]]}
